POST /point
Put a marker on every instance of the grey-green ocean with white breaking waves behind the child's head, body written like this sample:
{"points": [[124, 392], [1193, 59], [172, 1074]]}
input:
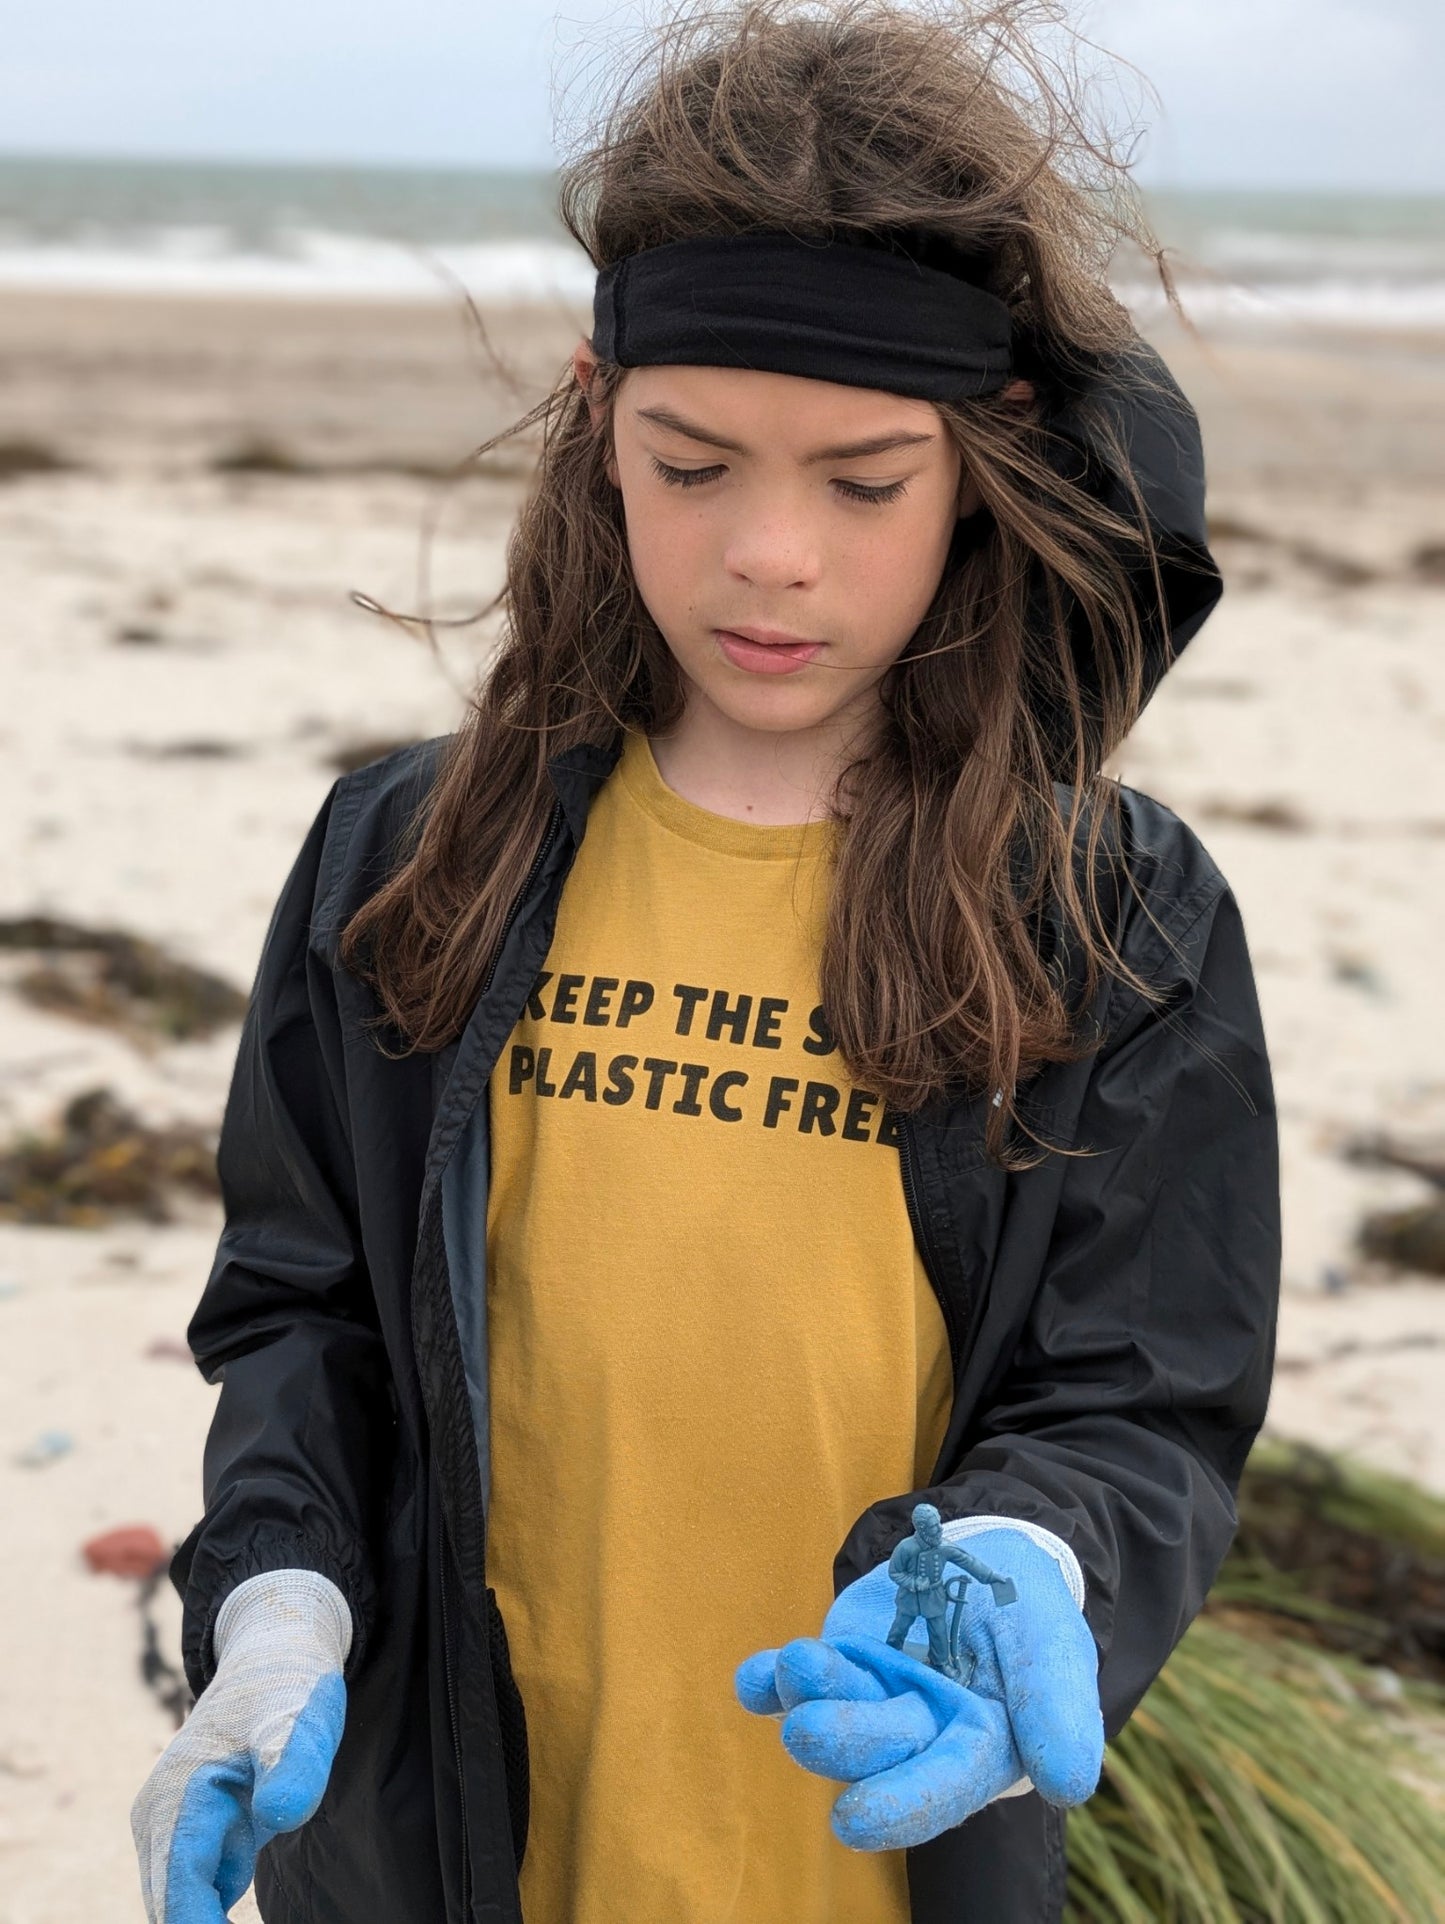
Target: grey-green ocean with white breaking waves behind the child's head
{"points": [[413, 234]]}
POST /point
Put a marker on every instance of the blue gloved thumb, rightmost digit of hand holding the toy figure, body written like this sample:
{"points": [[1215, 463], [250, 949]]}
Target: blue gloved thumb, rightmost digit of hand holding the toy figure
{"points": [[1052, 1690]]}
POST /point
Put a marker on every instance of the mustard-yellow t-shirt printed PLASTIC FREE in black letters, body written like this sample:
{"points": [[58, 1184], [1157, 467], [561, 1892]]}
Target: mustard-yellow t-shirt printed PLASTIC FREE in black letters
{"points": [[711, 1348]]}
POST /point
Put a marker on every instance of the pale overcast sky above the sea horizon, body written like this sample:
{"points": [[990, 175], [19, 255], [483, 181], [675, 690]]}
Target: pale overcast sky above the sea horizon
{"points": [[1254, 93]]}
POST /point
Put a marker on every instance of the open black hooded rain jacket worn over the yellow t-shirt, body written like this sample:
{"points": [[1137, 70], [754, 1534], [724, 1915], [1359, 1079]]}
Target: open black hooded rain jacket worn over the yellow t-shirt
{"points": [[1111, 1321]]}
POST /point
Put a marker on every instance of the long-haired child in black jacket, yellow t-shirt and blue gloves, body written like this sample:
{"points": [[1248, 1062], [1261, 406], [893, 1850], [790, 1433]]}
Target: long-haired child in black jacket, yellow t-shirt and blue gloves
{"points": [[753, 1096]]}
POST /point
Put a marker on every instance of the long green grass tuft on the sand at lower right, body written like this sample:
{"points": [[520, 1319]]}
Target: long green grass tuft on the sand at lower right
{"points": [[1271, 1777]]}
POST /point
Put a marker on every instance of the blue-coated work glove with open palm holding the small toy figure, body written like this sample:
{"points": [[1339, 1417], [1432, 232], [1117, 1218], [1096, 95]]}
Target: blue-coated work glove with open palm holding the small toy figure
{"points": [[921, 1752]]}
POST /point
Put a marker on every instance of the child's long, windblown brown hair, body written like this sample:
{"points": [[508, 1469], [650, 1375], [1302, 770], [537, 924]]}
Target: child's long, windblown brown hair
{"points": [[832, 120]]}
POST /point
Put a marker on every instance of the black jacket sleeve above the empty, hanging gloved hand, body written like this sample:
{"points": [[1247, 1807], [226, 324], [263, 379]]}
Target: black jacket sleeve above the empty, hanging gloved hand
{"points": [[288, 1325]]}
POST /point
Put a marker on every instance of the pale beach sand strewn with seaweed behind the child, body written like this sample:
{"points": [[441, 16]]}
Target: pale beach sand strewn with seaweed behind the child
{"points": [[184, 667]]}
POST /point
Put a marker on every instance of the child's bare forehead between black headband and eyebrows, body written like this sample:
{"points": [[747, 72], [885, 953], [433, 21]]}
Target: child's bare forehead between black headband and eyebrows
{"points": [[773, 413]]}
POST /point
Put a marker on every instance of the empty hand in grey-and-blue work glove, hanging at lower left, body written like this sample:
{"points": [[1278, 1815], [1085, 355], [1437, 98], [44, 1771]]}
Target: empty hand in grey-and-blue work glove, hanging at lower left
{"points": [[255, 1756]]}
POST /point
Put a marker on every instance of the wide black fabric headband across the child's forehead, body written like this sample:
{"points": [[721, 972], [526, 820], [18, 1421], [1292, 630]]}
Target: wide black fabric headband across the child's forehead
{"points": [[832, 311]]}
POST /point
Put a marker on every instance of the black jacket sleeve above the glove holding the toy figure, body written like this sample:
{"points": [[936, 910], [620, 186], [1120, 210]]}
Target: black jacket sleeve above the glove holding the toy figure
{"points": [[1142, 1373]]}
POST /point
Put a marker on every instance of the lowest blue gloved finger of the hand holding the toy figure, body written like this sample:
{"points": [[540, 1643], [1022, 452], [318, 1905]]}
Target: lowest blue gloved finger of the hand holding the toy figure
{"points": [[936, 1790]]}
